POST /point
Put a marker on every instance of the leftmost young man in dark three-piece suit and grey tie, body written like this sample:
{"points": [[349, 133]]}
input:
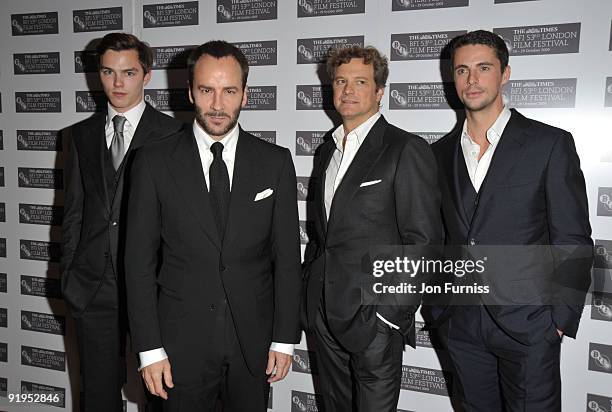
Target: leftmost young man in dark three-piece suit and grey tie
{"points": [[92, 261]]}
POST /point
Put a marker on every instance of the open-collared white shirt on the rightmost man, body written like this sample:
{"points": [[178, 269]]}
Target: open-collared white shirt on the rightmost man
{"points": [[477, 169]]}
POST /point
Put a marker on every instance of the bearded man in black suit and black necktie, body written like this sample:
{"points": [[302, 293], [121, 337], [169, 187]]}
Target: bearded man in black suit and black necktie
{"points": [[214, 212]]}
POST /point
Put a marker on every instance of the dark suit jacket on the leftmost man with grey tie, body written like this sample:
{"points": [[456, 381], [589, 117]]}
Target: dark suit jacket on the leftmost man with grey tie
{"points": [[92, 226]]}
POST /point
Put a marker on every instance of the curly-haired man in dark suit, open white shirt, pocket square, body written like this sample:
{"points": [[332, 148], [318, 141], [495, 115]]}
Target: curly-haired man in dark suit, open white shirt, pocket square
{"points": [[377, 186]]}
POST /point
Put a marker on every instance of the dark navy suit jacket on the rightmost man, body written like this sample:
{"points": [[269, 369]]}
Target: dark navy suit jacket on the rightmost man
{"points": [[533, 195]]}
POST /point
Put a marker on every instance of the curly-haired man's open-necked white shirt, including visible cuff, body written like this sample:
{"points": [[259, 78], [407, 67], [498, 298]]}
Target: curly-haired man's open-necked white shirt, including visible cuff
{"points": [[341, 160]]}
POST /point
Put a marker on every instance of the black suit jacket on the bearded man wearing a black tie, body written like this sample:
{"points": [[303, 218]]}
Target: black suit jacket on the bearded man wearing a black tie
{"points": [[255, 270]]}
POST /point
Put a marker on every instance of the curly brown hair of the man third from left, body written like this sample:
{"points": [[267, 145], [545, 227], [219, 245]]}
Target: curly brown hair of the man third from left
{"points": [[369, 55]]}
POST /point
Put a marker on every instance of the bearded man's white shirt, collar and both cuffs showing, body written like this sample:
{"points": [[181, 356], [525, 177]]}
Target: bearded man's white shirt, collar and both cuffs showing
{"points": [[204, 142]]}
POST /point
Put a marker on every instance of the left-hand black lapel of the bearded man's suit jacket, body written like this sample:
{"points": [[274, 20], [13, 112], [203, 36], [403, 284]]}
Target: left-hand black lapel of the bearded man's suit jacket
{"points": [[186, 167]]}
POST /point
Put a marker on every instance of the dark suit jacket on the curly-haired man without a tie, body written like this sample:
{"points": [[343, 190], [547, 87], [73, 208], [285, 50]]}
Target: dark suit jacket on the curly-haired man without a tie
{"points": [[402, 209]]}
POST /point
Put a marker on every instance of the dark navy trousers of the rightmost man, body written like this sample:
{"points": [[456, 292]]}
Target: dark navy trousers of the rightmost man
{"points": [[498, 373]]}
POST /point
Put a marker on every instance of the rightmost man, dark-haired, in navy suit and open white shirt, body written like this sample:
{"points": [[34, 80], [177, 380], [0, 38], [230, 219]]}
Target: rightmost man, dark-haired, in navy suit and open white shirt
{"points": [[513, 182]]}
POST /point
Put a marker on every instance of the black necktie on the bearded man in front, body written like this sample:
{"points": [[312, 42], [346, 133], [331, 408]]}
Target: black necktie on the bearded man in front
{"points": [[219, 187]]}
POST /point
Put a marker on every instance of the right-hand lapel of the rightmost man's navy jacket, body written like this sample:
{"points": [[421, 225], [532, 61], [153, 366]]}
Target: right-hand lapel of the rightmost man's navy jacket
{"points": [[507, 154]]}
